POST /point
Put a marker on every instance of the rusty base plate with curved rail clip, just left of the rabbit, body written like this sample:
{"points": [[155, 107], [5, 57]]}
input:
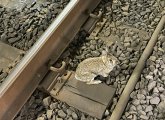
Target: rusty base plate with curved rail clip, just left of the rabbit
{"points": [[55, 80]]}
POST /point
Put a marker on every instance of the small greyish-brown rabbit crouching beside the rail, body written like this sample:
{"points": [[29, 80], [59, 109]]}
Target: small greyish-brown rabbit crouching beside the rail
{"points": [[89, 68]]}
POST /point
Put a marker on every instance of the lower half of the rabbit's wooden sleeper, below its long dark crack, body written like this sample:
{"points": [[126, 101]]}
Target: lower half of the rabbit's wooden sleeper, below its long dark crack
{"points": [[82, 103]]}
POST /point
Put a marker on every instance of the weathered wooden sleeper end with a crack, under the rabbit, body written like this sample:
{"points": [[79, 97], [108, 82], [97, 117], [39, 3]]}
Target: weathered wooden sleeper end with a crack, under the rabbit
{"points": [[91, 99]]}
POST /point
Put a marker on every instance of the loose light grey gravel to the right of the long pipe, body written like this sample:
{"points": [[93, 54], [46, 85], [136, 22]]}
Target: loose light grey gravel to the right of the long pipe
{"points": [[148, 99]]}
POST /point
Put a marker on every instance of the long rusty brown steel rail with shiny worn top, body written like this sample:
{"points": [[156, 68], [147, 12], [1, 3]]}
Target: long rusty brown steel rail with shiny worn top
{"points": [[22, 82]]}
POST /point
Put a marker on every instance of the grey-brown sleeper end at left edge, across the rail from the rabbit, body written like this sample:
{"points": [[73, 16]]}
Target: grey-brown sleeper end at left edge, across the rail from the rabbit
{"points": [[8, 55]]}
